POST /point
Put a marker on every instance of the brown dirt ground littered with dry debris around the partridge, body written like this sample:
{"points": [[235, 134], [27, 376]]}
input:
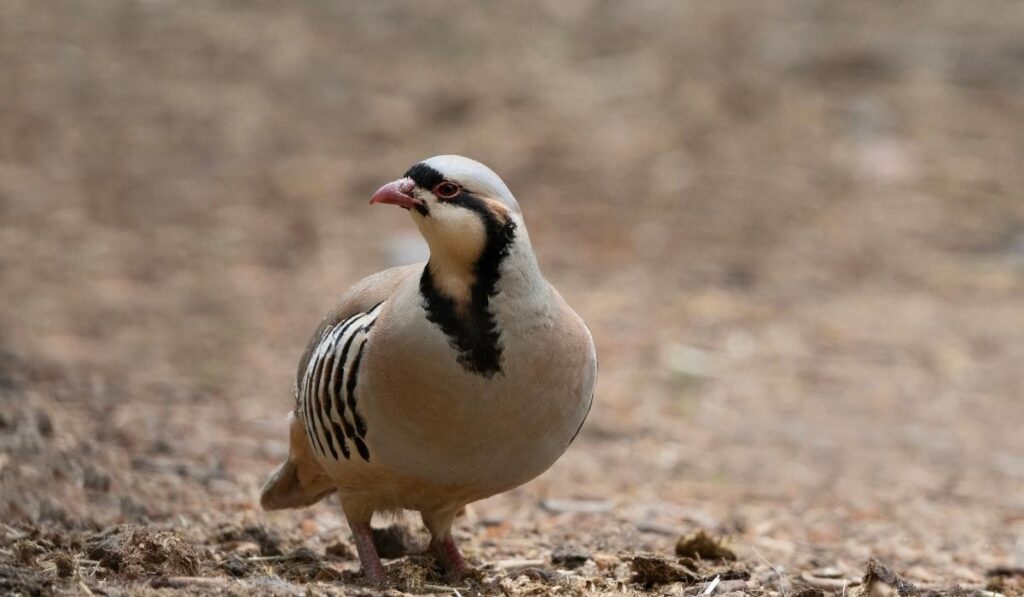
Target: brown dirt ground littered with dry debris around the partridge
{"points": [[795, 229]]}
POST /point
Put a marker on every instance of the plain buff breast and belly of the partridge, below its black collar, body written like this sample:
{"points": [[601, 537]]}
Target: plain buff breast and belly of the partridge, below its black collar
{"points": [[432, 417]]}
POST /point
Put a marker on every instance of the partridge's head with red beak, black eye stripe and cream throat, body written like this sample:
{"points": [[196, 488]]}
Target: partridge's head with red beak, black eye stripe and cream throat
{"points": [[462, 208]]}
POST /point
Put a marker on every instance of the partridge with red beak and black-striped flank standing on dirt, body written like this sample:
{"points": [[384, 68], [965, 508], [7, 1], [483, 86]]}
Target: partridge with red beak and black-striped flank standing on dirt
{"points": [[434, 386]]}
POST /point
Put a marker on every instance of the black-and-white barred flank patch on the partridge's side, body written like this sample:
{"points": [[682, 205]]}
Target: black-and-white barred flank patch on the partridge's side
{"points": [[328, 395]]}
